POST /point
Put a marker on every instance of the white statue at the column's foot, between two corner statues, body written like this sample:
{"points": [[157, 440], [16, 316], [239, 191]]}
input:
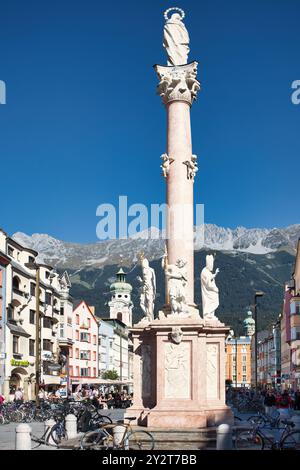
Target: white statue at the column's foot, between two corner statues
{"points": [[176, 277]]}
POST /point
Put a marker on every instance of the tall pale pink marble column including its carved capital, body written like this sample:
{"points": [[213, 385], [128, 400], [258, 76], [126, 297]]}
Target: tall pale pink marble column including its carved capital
{"points": [[178, 87]]}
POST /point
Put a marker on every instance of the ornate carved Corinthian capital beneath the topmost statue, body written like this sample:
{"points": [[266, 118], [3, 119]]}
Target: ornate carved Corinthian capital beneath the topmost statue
{"points": [[178, 83]]}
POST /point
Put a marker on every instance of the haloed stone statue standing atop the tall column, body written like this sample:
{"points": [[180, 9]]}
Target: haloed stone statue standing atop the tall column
{"points": [[176, 38]]}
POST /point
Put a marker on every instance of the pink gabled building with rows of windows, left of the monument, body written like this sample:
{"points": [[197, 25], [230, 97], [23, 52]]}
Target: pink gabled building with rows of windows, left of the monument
{"points": [[84, 352]]}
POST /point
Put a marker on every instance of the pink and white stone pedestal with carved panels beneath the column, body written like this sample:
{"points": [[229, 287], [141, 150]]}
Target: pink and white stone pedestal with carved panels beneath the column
{"points": [[179, 384]]}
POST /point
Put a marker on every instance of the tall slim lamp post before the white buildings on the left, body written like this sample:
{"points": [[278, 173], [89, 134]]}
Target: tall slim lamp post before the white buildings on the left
{"points": [[35, 266]]}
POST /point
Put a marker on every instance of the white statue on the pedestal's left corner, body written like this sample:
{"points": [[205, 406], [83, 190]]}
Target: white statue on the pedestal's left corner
{"points": [[148, 289]]}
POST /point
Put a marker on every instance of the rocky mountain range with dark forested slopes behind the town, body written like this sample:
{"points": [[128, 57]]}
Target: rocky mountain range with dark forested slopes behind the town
{"points": [[249, 259]]}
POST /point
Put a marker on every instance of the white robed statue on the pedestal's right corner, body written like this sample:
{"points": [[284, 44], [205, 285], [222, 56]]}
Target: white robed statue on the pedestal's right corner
{"points": [[209, 290]]}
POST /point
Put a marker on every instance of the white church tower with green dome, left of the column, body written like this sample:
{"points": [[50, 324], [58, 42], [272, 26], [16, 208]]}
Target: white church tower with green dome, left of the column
{"points": [[120, 305]]}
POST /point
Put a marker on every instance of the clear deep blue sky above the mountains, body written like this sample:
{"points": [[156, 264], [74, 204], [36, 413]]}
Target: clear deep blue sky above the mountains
{"points": [[82, 124]]}
